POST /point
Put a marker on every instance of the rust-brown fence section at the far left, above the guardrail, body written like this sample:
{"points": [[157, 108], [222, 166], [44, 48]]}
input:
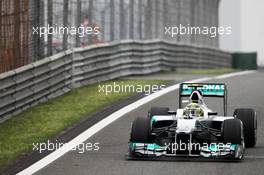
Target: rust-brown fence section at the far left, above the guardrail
{"points": [[13, 34]]}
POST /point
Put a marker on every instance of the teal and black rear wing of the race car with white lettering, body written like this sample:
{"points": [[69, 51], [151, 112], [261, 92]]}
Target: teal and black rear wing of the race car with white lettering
{"points": [[207, 90]]}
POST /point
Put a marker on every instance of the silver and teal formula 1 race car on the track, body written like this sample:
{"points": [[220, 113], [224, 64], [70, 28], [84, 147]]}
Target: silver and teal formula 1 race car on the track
{"points": [[194, 130]]}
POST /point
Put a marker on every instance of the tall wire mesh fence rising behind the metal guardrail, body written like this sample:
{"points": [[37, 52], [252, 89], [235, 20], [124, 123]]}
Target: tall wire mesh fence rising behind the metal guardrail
{"points": [[66, 24]]}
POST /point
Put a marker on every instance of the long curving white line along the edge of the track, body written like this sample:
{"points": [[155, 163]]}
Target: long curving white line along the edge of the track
{"points": [[106, 121]]}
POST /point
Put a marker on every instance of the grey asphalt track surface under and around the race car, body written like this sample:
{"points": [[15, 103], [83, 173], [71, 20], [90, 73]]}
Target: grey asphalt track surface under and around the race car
{"points": [[243, 91]]}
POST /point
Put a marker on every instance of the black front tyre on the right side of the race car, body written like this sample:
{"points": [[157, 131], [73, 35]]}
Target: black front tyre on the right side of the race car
{"points": [[232, 131]]}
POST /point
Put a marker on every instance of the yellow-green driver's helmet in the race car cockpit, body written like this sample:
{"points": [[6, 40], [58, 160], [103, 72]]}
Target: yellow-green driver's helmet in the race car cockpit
{"points": [[193, 110]]}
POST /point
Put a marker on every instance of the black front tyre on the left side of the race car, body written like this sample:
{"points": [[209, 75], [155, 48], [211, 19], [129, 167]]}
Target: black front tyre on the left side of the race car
{"points": [[140, 132]]}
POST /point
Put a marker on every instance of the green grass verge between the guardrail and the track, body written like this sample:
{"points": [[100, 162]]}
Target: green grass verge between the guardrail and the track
{"points": [[48, 119]]}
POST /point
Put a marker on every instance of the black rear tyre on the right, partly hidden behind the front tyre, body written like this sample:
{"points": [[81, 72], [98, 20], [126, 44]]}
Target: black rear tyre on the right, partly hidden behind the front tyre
{"points": [[249, 120]]}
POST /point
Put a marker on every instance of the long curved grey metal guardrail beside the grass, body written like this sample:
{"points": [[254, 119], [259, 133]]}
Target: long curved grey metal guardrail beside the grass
{"points": [[29, 85]]}
